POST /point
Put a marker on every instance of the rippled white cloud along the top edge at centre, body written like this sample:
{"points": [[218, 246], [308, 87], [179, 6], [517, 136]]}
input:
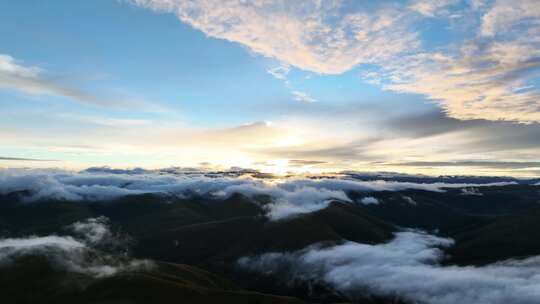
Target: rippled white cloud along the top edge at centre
{"points": [[312, 35]]}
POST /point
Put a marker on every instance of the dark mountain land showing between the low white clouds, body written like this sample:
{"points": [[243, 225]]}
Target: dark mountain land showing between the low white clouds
{"points": [[487, 223]]}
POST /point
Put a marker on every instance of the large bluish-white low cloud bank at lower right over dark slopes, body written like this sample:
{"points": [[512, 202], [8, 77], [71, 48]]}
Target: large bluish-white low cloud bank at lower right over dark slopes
{"points": [[407, 267]]}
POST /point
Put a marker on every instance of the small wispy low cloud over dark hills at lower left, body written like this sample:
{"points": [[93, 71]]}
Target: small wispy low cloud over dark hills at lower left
{"points": [[79, 252]]}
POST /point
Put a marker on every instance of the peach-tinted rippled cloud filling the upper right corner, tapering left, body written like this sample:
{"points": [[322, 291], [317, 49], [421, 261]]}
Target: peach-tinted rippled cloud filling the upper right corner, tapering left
{"points": [[485, 77]]}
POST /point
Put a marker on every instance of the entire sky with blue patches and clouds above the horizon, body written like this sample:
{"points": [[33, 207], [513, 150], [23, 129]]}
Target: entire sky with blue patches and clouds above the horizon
{"points": [[432, 87]]}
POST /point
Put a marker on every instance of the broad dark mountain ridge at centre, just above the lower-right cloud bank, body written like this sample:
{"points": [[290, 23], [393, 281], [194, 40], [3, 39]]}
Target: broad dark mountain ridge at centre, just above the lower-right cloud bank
{"points": [[224, 241]]}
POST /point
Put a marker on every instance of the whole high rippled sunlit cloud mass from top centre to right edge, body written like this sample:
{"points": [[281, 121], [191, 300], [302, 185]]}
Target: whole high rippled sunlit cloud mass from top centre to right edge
{"points": [[483, 79]]}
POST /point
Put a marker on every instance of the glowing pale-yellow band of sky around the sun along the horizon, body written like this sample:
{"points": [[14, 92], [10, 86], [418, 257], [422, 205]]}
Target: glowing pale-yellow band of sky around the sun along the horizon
{"points": [[296, 144]]}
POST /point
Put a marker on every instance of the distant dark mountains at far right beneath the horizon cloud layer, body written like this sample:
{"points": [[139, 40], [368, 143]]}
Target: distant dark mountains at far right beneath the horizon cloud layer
{"points": [[451, 212]]}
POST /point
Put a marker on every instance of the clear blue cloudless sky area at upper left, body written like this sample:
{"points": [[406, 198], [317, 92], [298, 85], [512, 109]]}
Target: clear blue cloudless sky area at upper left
{"points": [[114, 47]]}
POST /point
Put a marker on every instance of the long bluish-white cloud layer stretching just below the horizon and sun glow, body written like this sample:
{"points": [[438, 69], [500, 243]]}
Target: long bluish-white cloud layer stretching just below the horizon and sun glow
{"points": [[290, 196]]}
